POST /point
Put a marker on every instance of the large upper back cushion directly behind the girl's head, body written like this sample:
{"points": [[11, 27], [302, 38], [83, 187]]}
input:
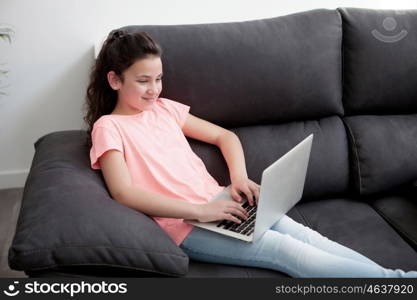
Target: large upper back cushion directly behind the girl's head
{"points": [[273, 70]]}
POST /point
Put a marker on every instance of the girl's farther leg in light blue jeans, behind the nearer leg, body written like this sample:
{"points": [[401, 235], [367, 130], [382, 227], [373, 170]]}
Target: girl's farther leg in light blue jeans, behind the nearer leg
{"points": [[286, 225]]}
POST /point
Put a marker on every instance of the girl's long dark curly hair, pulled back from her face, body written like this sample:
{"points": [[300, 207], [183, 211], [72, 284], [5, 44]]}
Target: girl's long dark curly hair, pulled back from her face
{"points": [[120, 50]]}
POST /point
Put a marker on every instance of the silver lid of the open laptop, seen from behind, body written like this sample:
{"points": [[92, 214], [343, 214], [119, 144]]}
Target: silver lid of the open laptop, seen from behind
{"points": [[282, 186]]}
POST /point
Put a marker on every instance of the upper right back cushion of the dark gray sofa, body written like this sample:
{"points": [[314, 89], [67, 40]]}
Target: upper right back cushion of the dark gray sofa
{"points": [[379, 61]]}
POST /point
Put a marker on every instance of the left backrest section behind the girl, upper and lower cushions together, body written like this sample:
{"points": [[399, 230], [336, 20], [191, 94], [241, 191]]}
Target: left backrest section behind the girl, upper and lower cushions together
{"points": [[272, 81]]}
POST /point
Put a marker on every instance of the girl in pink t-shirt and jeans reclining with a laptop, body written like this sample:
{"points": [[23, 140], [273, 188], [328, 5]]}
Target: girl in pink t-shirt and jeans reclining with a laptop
{"points": [[138, 141]]}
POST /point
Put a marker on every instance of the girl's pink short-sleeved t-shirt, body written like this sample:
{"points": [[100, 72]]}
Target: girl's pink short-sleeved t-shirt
{"points": [[158, 157]]}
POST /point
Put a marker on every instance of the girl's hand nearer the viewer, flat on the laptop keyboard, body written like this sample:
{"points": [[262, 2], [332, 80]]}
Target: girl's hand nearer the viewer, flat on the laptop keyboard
{"points": [[221, 210]]}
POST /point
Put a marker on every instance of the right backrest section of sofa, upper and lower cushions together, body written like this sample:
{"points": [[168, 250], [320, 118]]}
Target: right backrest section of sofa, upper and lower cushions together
{"points": [[380, 96]]}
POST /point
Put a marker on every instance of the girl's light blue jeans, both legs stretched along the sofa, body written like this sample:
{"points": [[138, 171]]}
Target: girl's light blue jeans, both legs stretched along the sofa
{"points": [[289, 247]]}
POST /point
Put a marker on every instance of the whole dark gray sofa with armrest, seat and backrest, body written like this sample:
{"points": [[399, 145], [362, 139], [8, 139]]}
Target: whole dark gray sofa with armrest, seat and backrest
{"points": [[347, 75]]}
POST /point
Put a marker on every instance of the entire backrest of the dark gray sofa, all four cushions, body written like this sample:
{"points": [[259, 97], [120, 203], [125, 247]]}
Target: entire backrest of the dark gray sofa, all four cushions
{"points": [[274, 81]]}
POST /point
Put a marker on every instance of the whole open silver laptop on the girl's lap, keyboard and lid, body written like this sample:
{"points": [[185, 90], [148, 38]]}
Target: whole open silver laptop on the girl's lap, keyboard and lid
{"points": [[282, 186]]}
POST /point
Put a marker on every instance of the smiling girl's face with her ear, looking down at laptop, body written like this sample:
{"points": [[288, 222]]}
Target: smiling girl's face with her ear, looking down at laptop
{"points": [[140, 87]]}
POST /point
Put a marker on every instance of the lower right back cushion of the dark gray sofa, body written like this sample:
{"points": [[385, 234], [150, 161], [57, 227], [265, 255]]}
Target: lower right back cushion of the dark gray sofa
{"points": [[384, 151]]}
